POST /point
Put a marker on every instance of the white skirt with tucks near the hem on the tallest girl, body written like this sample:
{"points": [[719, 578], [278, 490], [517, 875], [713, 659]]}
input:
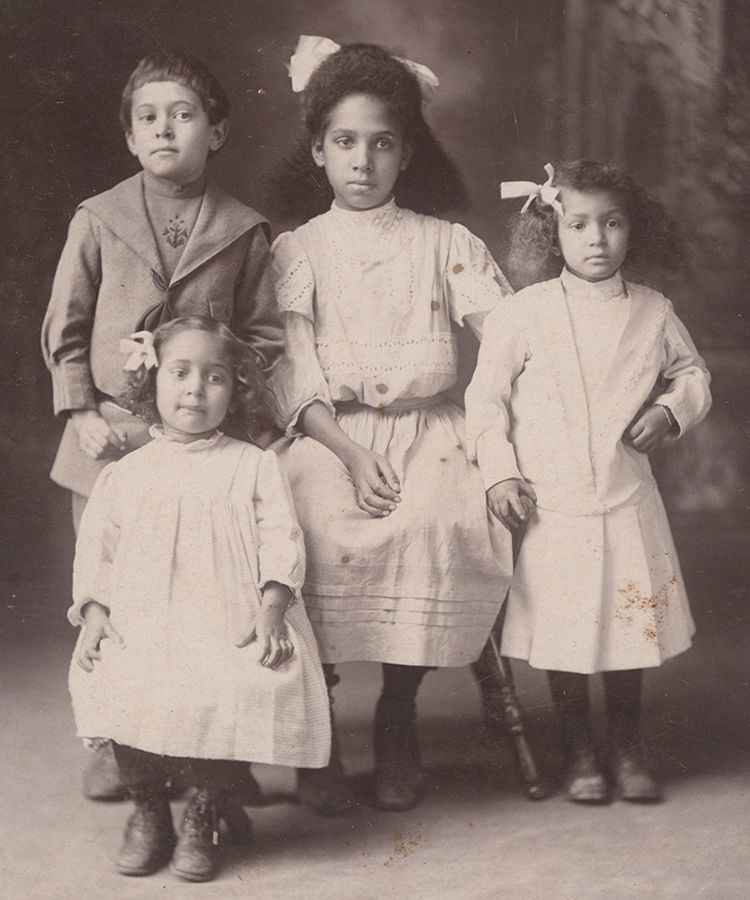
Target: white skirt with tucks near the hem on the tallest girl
{"points": [[422, 586]]}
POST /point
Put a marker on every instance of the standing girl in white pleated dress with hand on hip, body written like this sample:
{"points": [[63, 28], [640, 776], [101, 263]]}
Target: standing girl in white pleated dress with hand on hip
{"points": [[579, 378]]}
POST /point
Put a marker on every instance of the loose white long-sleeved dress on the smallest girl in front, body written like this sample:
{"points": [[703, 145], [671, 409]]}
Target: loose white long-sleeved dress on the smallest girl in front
{"points": [[176, 541]]}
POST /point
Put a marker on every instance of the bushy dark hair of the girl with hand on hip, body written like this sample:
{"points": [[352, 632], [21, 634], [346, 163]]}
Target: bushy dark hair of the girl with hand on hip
{"points": [[655, 242]]}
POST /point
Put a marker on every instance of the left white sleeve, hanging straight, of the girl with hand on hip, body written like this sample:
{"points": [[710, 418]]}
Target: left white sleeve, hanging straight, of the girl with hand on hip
{"points": [[502, 355]]}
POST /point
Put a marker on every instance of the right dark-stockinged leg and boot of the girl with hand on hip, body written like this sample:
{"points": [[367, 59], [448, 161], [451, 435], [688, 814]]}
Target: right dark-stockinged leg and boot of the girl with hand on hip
{"points": [[629, 764]]}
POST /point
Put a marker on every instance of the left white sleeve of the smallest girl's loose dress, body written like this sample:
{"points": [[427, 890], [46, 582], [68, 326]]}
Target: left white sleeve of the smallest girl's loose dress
{"points": [[96, 546]]}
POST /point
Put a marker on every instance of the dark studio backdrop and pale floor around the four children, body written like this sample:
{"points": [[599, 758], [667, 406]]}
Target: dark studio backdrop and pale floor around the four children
{"points": [[658, 86]]}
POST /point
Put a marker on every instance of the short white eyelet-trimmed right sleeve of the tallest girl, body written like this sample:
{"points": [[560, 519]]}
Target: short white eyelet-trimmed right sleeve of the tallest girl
{"points": [[474, 283]]}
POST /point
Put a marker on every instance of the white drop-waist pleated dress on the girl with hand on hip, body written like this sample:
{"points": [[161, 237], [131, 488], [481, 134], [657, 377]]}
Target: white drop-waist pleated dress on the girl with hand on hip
{"points": [[565, 367]]}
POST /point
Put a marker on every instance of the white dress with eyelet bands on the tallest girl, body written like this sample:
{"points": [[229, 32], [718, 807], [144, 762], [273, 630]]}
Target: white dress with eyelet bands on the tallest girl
{"points": [[368, 299]]}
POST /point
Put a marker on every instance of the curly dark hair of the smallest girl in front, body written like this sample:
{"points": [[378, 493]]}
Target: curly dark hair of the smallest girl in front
{"points": [[247, 414]]}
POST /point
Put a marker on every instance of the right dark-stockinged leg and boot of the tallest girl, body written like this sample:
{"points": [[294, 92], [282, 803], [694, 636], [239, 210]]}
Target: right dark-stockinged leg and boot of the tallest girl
{"points": [[398, 773]]}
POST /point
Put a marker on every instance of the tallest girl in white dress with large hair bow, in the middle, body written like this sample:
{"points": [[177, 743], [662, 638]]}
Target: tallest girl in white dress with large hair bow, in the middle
{"points": [[405, 567]]}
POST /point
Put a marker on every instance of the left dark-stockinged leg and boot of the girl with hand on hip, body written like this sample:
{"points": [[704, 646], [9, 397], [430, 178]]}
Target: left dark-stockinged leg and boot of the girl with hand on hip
{"points": [[583, 780]]}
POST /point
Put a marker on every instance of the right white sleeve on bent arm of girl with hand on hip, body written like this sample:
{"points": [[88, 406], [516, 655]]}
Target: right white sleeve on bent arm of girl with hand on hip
{"points": [[687, 395]]}
